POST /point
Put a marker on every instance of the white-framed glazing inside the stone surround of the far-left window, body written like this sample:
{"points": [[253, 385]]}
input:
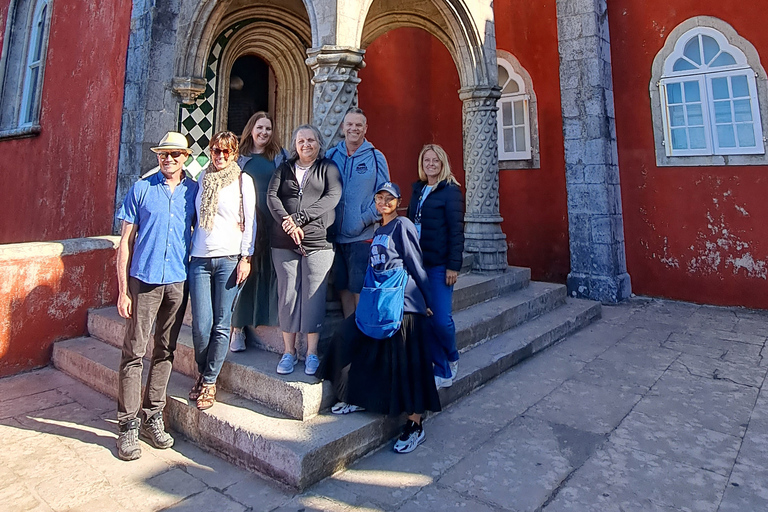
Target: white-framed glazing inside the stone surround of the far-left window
{"points": [[32, 89]]}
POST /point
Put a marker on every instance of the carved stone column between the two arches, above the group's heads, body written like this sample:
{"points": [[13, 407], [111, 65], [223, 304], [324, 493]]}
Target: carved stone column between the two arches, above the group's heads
{"points": [[335, 82]]}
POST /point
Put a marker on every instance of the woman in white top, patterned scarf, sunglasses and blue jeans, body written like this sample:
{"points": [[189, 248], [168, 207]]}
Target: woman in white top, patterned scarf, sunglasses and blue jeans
{"points": [[222, 246]]}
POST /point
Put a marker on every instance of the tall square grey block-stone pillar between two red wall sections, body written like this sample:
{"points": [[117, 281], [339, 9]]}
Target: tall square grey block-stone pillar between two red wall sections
{"points": [[598, 262]]}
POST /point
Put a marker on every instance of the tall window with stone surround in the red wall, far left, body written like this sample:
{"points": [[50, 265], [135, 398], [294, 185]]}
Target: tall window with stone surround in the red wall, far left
{"points": [[22, 66]]}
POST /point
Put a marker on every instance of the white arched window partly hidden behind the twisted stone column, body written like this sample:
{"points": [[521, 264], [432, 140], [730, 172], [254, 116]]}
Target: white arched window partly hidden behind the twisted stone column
{"points": [[513, 116]]}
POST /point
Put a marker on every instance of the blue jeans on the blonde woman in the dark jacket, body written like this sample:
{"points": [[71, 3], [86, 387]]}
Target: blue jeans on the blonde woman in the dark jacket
{"points": [[442, 339]]}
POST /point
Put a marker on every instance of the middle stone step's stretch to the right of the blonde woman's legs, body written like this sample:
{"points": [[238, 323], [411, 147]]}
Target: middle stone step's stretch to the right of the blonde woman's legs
{"points": [[488, 319]]}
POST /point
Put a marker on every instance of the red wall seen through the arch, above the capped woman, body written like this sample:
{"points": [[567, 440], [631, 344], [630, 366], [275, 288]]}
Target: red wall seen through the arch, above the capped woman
{"points": [[411, 99]]}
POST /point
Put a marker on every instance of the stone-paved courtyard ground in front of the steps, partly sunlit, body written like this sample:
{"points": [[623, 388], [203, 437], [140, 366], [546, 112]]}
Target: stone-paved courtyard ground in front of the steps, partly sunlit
{"points": [[659, 406]]}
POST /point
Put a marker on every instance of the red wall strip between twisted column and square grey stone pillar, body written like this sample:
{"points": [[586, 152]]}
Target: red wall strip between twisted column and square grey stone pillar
{"points": [[534, 204]]}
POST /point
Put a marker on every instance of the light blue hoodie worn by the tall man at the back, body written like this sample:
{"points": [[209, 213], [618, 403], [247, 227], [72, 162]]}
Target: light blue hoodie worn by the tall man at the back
{"points": [[361, 176]]}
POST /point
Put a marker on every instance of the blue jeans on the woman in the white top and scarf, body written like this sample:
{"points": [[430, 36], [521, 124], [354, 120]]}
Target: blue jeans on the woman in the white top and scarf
{"points": [[212, 289]]}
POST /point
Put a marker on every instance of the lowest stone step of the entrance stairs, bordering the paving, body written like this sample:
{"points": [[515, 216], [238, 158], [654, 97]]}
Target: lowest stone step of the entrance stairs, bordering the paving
{"points": [[300, 453]]}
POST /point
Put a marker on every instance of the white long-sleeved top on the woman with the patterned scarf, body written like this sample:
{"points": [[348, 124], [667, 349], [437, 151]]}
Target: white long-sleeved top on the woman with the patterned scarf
{"points": [[226, 239]]}
